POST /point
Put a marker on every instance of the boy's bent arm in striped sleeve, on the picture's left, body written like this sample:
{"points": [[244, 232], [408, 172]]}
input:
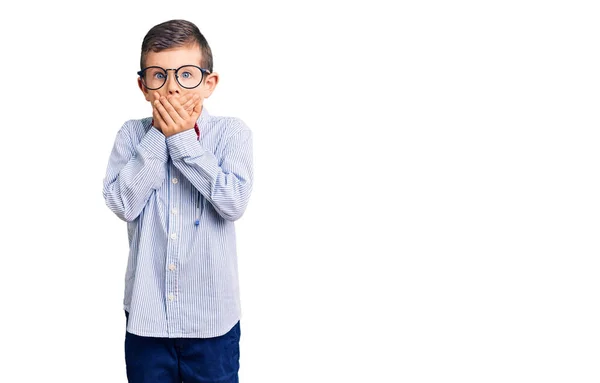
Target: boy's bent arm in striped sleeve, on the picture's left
{"points": [[133, 173]]}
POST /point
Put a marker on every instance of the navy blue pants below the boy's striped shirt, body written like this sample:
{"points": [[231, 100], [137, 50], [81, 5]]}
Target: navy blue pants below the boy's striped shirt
{"points": [[188, 360]]}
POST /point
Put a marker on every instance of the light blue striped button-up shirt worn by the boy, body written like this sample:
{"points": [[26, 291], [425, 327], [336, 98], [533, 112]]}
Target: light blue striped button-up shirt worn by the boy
{"points": [[182, 278]]}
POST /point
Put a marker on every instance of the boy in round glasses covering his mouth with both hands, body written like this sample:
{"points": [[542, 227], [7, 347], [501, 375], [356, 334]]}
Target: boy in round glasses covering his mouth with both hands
{"points": [[180, 179]]}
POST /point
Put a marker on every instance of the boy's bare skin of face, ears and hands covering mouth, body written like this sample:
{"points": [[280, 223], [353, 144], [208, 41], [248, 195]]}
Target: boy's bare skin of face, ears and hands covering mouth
{"points": [[176, 109]]}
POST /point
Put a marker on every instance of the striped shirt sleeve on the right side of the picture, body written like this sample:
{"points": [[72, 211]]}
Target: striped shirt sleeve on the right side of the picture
{"points": [[226, 182]]}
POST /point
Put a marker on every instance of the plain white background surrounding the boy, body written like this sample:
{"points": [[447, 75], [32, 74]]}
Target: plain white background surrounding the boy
{"points": [[426, 200]]}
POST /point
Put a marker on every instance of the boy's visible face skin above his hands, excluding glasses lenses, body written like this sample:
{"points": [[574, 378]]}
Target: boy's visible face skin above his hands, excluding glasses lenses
{"points": [[174, 58]]}
